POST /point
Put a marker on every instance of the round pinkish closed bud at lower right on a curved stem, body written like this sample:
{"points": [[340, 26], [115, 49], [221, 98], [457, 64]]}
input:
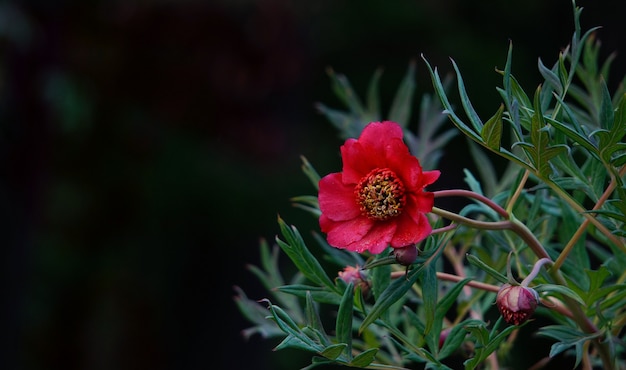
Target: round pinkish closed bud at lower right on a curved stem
{"points": [[516, 303]]}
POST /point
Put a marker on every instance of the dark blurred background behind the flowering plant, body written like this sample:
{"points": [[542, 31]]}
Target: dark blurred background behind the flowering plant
{"points": [[147, 146]]}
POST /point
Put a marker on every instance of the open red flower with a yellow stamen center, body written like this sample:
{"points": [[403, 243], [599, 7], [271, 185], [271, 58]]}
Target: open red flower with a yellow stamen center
{"points": [[379, 199]]}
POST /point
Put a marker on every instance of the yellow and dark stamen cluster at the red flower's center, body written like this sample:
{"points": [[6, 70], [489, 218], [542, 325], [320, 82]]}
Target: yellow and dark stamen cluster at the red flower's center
{"points": [[380, 194]]}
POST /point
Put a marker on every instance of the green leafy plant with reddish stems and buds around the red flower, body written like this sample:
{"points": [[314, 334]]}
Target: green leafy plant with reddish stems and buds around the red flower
{"points": [[554, 218]]}
